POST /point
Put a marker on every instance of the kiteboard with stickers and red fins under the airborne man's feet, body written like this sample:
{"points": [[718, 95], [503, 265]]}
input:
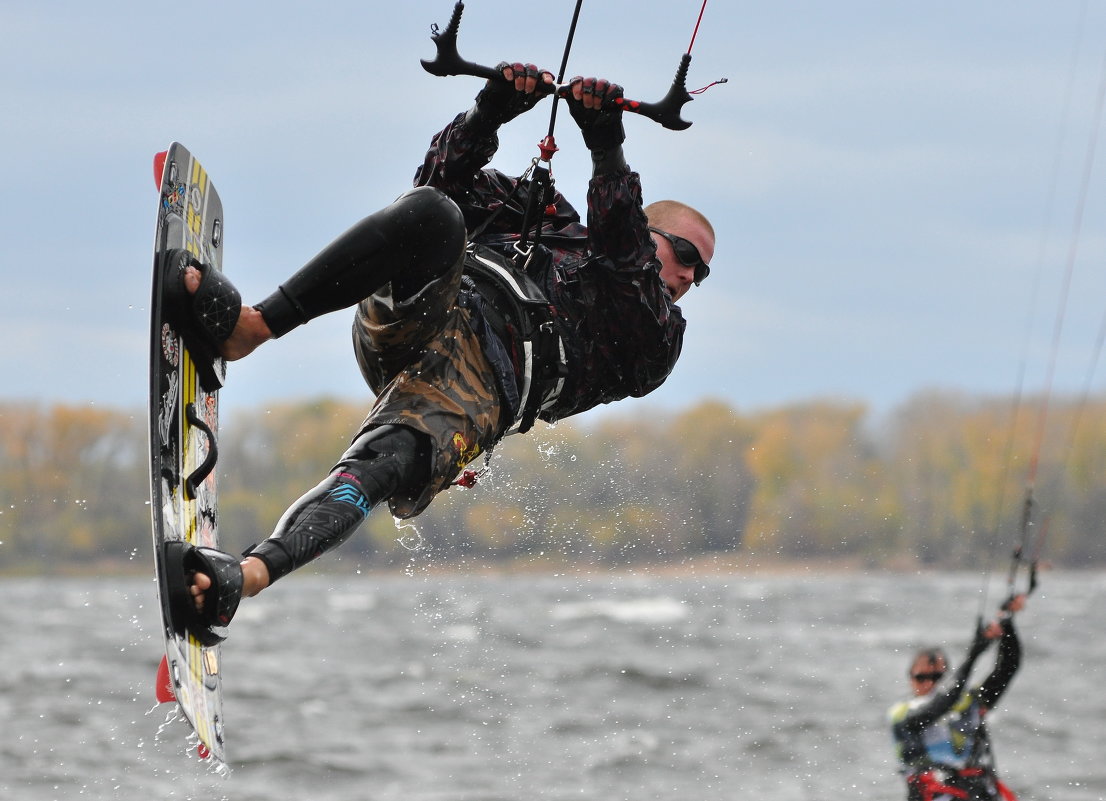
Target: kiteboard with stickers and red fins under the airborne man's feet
{"points": [[184, 424]]}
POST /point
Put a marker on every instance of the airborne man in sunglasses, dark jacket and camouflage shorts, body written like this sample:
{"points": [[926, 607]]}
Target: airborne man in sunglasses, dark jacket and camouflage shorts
{"points": [[463, 340]]}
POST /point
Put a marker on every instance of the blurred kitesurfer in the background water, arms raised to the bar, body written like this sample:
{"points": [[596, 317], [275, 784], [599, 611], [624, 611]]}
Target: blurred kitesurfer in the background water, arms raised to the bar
{"points": [[941, 734]]}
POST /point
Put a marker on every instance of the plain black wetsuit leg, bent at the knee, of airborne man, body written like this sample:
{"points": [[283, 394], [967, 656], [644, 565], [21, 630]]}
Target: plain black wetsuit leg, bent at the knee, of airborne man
{"points": [[411, 243]]}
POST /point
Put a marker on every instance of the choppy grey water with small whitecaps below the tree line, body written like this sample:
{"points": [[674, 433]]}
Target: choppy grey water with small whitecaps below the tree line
{"points": [[509, 689]]}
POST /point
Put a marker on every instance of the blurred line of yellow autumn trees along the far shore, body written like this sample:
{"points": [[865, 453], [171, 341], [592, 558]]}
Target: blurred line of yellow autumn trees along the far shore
{"points": [[943, 482]]}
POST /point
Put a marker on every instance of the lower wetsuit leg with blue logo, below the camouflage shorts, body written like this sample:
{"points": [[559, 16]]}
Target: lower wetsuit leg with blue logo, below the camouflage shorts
{"points": [[379, 463]]}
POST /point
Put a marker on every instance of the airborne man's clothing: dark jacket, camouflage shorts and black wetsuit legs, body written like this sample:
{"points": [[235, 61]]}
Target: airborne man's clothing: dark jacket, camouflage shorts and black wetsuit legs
{"points": [[444, 401]]}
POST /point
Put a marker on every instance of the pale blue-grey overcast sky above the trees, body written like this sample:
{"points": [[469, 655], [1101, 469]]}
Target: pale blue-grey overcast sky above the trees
{"points": [[895, 185]]}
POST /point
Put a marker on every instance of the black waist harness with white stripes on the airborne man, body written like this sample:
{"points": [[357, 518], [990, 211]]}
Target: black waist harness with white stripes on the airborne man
{"points": [[520, 315]]}
